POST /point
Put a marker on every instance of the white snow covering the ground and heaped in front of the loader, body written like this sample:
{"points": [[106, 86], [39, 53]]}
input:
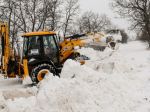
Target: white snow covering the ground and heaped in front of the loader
{"points": [[111, 81]]}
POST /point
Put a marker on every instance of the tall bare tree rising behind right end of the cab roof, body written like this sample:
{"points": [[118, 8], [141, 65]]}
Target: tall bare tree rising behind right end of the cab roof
{"points": [[53, 14]]}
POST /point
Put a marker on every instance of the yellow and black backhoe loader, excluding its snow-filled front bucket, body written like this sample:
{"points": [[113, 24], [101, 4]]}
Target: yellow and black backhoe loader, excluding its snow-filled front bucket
{"points": [[42, 53]]}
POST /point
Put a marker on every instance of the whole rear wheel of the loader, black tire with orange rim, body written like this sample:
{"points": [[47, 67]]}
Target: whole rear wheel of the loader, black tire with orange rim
{"points": [[38, 72]]}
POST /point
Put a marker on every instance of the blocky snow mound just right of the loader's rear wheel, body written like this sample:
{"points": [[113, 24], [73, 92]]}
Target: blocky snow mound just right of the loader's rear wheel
{"points": [[73, 70]]}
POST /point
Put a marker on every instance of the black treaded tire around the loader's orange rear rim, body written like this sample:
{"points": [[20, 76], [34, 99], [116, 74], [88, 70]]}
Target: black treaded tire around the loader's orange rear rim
{"points": [[40, 67]]}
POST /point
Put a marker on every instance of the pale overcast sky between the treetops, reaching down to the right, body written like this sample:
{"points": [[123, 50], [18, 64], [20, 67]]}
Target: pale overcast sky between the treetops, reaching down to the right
{"points": [[103, 7]]}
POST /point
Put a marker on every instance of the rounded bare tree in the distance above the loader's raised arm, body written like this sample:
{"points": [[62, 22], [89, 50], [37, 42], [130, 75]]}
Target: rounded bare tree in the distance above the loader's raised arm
{"points": [[91, 22]]}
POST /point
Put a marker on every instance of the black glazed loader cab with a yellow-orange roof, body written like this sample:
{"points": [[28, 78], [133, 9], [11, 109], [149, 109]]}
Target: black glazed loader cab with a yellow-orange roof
{"points": [[41, 46]]}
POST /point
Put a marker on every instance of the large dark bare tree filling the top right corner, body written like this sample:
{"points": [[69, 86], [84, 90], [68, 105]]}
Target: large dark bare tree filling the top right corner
{"points": [[138, 12]]}
